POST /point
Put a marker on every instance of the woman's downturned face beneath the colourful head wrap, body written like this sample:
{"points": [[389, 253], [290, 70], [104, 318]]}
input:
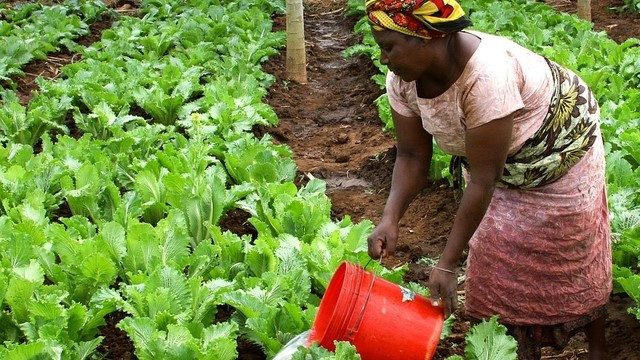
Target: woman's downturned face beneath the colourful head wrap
{"points": [[406, 56]]}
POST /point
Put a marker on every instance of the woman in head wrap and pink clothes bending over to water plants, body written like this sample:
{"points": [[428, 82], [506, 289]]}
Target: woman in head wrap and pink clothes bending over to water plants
{"points": [[534, 212]]}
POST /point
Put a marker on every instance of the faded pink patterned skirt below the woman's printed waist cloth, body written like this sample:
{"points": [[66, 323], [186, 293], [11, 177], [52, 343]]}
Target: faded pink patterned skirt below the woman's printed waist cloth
{"points": [[542, 256]]}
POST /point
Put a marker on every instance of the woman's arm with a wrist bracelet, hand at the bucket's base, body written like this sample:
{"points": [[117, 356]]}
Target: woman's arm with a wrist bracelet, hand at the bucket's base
{"points": [[486, 147]]}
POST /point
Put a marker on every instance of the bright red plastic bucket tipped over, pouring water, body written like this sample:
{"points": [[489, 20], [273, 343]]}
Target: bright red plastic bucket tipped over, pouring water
{"points": [[382, 320]]}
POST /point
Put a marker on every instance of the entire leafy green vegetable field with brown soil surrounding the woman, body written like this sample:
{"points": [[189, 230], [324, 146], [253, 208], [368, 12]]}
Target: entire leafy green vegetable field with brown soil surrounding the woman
{"points": [[167, 194]]}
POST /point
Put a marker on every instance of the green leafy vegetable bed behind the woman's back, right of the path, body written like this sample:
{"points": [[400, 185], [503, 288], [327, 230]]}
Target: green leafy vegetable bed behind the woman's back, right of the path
{"points": [[613, 72]]}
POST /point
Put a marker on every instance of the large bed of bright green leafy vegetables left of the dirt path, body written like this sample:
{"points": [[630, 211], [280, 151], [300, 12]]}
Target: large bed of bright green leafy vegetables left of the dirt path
{"points": [[114, 180]]}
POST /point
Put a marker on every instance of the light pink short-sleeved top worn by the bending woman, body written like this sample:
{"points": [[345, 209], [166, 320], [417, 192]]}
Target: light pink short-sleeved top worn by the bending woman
{"points": [[501, 78]]}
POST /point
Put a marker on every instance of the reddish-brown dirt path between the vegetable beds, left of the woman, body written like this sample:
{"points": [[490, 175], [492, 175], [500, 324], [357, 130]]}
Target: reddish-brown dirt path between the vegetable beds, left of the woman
{"points": [[332, 126]]}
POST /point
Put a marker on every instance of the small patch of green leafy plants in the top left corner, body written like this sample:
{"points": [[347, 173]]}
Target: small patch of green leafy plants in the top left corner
{"points": [[29, 31]]}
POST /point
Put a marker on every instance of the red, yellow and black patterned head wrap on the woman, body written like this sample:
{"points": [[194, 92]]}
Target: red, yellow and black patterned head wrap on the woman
{"points": [[422, 18]]}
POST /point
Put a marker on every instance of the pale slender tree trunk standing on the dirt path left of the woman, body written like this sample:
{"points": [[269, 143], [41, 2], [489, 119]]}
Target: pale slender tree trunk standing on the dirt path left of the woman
{"points": [[296, 57]]}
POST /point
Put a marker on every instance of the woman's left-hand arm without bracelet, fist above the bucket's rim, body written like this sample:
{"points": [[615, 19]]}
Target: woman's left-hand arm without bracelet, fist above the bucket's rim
{"points": [[409, 176]]}
